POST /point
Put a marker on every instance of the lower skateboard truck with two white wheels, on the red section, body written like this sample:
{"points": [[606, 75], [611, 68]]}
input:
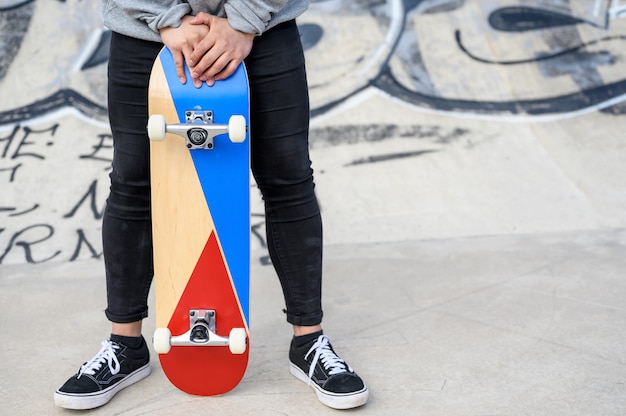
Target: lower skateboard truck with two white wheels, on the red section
{"points": [[201, 334]]}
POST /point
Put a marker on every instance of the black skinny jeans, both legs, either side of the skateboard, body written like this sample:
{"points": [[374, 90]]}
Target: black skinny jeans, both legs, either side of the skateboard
{"points": [[280, 165]]}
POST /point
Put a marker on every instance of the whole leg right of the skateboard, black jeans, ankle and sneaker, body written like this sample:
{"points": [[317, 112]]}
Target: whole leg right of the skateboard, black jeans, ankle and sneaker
{"points": [[282, 169]]}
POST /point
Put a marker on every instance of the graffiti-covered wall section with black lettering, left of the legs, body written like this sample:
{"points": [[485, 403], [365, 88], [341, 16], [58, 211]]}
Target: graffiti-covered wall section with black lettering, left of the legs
{"points": [[55, 145]]}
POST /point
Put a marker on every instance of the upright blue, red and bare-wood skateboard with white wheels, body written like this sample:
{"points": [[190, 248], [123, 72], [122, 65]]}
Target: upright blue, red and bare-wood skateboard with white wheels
{"points": [[200, 181]]}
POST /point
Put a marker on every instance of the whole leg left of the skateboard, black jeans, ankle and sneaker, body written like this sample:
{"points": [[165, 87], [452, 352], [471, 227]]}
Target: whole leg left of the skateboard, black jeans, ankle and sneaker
{"points": [[124, 359]]}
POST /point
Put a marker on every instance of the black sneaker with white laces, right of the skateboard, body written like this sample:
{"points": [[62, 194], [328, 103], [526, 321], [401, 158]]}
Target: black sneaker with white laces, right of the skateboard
{"points": [[335, 383]]}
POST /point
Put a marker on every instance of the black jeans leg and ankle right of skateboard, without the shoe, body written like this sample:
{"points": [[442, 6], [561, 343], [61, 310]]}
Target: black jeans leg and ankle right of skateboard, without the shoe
{"points": [[282, 169]]}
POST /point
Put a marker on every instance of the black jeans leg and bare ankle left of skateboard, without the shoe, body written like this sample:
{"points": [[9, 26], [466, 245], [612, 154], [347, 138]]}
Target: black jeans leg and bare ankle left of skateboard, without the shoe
{"points": [[127, 232]]}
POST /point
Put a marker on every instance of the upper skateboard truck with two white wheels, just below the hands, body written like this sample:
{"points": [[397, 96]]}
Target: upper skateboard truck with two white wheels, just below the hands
{"points": [[198, 129]]}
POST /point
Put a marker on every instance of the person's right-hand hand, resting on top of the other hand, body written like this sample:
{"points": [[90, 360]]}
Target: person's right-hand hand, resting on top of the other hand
{"points": [[219, 53]]}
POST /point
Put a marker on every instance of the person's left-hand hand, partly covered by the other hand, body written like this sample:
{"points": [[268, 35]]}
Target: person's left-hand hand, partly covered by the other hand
{"points": [[181, 41]]}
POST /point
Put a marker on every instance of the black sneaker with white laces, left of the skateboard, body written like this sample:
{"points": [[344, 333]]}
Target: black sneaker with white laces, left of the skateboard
{"points": [[115, 367]]}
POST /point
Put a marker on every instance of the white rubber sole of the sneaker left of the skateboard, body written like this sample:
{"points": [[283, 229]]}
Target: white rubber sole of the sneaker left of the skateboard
{"points": [[91, 401]]}
